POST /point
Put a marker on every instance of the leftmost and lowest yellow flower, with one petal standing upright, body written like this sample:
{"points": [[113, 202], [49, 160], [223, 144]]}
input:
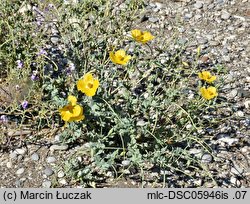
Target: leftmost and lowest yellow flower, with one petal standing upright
{"points": [[72, 111]]}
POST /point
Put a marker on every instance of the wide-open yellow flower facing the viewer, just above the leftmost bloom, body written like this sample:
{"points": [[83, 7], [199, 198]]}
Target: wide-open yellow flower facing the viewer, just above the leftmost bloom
{"points": [[88, 85]]}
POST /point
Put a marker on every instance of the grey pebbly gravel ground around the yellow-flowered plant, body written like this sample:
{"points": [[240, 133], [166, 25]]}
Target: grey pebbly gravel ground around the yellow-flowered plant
{"points": [[221, 28]]}
